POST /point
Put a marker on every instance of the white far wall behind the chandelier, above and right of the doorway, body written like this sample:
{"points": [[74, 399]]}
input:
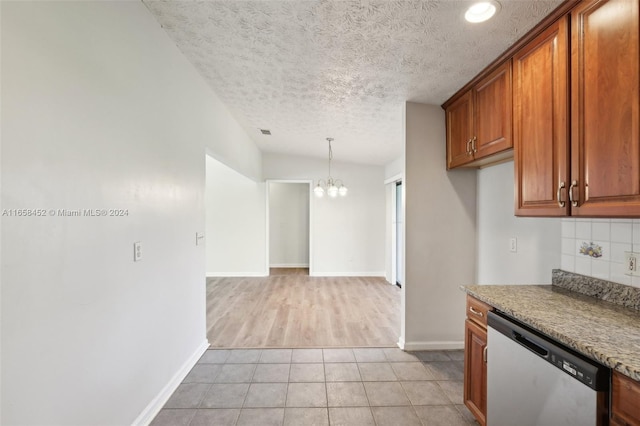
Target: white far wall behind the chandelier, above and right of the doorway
{"points": [[348, 233]]}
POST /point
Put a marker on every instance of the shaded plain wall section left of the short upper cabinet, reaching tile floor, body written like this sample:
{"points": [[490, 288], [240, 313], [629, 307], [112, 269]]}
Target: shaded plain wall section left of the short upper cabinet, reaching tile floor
{"points": [[440, 235]]}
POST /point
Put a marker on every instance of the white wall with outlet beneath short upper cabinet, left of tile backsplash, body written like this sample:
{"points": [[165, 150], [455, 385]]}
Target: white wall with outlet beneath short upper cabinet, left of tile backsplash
{"points": [[538, 239]]}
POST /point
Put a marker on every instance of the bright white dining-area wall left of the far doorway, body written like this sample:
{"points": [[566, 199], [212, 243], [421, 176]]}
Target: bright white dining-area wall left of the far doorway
{"points": [[235, 223]]}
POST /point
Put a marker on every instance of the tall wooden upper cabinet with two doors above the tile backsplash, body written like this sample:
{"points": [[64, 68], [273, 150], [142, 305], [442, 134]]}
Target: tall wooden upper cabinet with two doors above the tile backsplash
{"points": [[596, 172]]}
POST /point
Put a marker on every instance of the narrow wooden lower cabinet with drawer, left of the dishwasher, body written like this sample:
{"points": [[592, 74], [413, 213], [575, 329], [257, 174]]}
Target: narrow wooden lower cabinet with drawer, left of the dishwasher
{"points": [[475, 364]]}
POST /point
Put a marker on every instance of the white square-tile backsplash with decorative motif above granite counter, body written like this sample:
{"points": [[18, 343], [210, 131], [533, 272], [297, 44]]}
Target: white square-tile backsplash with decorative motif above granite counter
{"points": [[595, 247]]}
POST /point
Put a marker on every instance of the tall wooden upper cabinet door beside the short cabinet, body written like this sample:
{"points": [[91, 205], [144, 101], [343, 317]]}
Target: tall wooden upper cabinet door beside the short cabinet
{"points": [[540, 128]]}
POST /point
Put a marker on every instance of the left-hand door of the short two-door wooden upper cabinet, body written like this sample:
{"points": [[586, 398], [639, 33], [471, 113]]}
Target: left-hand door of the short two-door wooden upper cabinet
{"points": [[459, 116]]}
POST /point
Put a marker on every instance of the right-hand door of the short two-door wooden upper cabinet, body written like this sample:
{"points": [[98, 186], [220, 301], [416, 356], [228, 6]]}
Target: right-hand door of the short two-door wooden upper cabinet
{"points": [[493, 101]]}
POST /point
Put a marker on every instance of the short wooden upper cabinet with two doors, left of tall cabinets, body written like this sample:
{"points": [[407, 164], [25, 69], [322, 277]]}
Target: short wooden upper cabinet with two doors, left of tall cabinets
{"points": [[479, 121]]}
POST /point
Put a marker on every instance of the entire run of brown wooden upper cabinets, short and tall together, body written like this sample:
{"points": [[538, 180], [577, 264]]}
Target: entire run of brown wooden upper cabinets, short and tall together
{"points": [[576, 113]]}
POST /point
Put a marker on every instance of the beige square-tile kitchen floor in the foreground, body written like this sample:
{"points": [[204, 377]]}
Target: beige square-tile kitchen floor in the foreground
{"points": [[305, 387]]}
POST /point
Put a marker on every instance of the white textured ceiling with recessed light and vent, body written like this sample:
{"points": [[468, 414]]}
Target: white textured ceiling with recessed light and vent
{"points": [[307, 70]]}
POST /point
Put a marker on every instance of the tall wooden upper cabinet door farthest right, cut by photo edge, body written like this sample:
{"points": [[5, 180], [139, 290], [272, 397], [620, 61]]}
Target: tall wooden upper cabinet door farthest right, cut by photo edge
{"points": [[605, 149]]}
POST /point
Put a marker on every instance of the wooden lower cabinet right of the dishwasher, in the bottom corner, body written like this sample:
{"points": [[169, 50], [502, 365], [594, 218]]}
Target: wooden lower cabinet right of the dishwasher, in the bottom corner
{"points": [[625, 400]]}
